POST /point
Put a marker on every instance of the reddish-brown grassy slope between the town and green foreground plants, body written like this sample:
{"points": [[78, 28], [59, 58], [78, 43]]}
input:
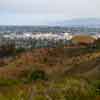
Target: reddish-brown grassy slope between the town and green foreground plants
{"points": [[60, 60]]}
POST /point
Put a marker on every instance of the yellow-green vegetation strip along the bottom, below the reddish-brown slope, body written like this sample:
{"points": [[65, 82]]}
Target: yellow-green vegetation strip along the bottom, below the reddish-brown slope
{"points": [[64, 89]]}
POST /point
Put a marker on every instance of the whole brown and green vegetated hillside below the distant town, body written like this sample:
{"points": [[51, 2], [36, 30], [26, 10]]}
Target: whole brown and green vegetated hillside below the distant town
{"points": [[62, 73]]}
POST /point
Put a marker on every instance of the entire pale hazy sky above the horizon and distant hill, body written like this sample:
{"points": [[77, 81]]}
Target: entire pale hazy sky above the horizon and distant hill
{"points": [[36, 12]]}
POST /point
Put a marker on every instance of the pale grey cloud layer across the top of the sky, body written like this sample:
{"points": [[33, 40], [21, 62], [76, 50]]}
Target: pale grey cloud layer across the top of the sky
{"points": [[66, 7]]}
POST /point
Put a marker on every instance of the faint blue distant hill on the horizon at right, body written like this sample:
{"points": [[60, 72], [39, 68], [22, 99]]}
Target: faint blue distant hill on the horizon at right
{"points": [[89, 22]]}
